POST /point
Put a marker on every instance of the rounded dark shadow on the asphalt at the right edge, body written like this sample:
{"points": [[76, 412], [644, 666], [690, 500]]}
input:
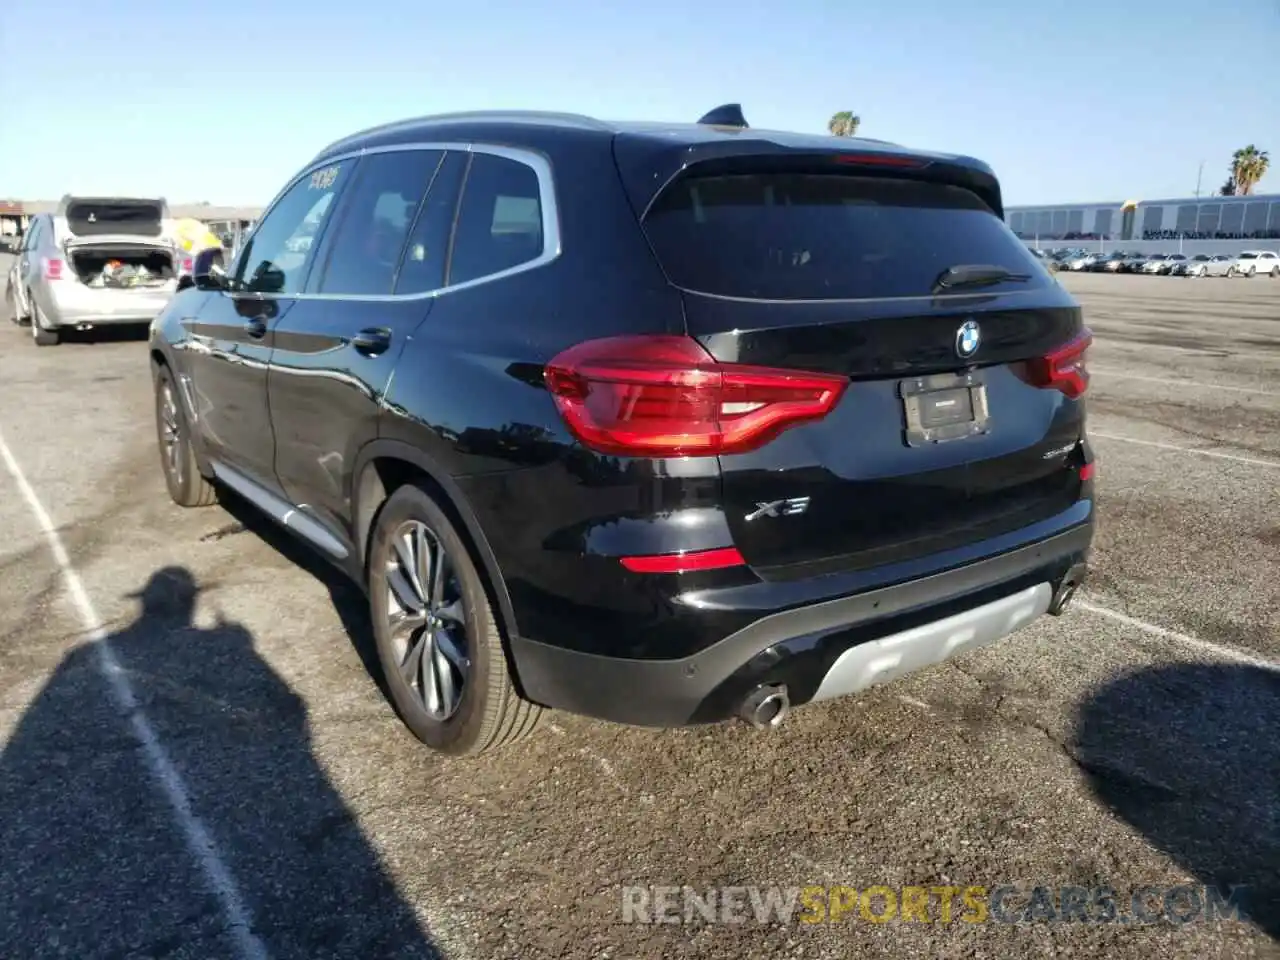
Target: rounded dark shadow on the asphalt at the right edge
{"points": [[1190, 756]]}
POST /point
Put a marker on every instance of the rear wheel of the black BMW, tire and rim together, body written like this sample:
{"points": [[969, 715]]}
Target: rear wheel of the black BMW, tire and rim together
{"points": [[438, 641]]}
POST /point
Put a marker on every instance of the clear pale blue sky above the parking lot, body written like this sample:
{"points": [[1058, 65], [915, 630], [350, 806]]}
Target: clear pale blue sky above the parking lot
{"points": [[222, 102]]}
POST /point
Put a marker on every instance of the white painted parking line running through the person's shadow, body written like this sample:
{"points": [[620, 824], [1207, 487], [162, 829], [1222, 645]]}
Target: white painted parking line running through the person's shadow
{"points": [[199, 842]]}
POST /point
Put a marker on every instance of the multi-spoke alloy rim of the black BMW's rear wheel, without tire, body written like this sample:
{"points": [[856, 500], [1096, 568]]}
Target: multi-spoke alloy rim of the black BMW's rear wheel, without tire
{"points": [[427, 620]]}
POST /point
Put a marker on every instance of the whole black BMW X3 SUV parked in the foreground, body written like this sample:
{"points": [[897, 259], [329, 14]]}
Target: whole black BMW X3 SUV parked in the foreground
{"points": [[656, 423]]}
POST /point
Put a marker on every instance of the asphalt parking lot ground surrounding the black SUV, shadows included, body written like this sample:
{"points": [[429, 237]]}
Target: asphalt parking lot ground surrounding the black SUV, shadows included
{"points": [[198, 761]]}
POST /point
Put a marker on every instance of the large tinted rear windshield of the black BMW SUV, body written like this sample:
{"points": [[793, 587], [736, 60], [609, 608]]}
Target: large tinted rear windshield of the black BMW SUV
{"points": [[826, 237]]}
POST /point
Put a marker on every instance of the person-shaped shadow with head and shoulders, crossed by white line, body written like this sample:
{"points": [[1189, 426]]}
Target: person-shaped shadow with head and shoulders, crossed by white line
{"points": [[94, 860]]}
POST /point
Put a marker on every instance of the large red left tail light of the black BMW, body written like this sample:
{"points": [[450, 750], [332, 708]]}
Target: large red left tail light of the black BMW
{"points": [[669, 397]]}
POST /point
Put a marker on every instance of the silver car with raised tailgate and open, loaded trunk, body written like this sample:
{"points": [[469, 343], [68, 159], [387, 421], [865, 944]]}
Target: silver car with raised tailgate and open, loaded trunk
{"points": [[94, 262]]}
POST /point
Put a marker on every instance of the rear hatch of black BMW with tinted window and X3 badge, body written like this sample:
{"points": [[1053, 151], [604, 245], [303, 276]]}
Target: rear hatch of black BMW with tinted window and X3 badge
{"points": [[958, 424]]}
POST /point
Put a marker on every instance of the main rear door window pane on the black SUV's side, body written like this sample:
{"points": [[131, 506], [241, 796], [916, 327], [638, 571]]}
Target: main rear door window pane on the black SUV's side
{"points": [[377, 217]]}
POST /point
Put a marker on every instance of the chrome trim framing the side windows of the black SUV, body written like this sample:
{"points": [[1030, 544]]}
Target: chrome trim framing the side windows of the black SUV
{"points": [[537, 162]]}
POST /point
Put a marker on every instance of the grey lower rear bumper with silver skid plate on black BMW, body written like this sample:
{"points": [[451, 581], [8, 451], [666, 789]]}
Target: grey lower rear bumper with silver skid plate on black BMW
{"points": [[819, 651]]}
